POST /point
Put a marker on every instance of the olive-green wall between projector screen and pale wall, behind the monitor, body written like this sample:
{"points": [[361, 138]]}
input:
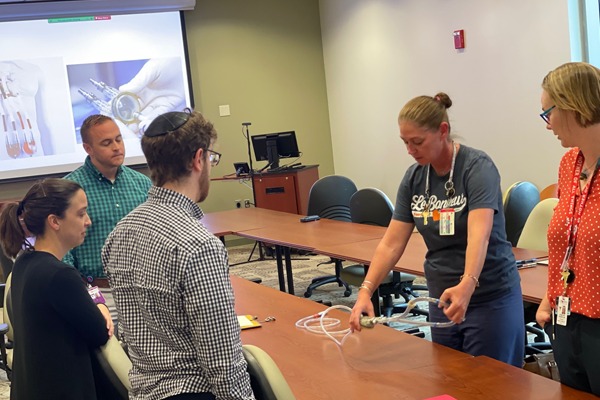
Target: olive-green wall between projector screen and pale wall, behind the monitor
{"points": [[264, 58]]}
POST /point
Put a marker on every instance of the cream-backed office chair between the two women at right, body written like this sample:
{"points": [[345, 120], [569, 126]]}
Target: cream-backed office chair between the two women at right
{"points": [[534, 237]]}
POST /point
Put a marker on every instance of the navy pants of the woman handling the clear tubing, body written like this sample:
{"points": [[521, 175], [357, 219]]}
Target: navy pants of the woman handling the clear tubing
{"points": [[495, 329]]}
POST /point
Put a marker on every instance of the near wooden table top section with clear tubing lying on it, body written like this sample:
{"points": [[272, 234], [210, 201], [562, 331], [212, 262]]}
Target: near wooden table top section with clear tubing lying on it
{"points": [[314, 366]]}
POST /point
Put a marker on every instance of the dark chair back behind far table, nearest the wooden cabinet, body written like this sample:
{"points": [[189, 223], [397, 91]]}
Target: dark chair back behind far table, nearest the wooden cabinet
{"points": [[329, 198]]}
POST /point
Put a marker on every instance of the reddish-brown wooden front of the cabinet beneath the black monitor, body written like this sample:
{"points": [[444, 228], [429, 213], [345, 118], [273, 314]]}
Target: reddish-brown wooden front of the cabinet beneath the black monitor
{"points": [[276, 193]]}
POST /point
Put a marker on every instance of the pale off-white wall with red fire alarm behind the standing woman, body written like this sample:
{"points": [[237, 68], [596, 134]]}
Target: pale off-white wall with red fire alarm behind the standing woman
{"points": [[380, 54]]}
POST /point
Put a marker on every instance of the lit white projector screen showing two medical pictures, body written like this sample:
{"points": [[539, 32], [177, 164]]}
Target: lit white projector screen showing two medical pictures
{"points": [[56, 72]]}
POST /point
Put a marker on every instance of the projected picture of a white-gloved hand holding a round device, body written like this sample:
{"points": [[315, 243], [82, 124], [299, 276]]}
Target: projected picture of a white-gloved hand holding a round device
{"points": [[132, 92]]}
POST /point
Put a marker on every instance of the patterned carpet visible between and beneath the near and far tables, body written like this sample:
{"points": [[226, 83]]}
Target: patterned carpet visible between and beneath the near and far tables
{"points": [[305, 268]]}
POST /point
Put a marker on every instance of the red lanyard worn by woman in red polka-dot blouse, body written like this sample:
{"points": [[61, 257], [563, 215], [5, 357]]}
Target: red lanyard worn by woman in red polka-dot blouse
{"points": [[575, 213]]}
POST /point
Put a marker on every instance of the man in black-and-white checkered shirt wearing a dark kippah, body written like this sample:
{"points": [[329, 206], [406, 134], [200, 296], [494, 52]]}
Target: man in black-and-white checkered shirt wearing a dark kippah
{"points": [[170, 276]]}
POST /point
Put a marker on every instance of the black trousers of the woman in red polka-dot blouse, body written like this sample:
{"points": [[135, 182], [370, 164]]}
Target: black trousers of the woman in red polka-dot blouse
{"points": [[577, 352]]}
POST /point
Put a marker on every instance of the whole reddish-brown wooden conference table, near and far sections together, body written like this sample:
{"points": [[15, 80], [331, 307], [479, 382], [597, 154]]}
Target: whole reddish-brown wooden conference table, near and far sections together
{"points": [[381, 363]]}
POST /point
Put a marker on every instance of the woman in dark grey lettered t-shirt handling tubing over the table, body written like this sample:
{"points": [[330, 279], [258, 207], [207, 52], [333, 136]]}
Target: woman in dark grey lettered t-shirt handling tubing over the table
{"points": [[452, 194]]}
